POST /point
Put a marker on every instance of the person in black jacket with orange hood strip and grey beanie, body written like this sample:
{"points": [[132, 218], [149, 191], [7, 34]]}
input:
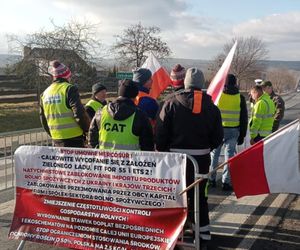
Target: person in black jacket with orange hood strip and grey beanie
{"points": [[190, 123]]}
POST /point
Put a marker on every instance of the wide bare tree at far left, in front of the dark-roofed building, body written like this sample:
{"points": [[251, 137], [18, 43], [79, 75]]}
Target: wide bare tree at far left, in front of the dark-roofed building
{"points": [[75, 44]]}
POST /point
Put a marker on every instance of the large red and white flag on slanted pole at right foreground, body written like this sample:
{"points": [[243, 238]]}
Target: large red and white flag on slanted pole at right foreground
{"points": [[269, 166]]}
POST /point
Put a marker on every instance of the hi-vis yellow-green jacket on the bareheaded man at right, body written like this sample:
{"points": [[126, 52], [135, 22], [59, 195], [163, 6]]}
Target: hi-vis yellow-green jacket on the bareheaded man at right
{"points": [[262, 118]]}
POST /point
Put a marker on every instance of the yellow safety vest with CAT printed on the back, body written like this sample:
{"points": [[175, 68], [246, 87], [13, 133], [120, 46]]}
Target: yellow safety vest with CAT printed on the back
{"points": [[117, 135]]}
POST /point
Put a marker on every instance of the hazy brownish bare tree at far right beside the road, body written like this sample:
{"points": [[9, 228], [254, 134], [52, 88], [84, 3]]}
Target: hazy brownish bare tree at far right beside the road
{"points": [[283, 80]]}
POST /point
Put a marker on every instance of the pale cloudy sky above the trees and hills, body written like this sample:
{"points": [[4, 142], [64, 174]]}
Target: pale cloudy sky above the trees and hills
{"points": [[193, 29]]}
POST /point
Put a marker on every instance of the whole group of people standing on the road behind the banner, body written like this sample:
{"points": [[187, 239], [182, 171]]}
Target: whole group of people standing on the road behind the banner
{"points": [[186, 121]]}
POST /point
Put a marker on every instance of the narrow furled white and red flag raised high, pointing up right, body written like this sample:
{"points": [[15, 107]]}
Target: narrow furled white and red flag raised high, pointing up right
{"points": [[216, 86]]}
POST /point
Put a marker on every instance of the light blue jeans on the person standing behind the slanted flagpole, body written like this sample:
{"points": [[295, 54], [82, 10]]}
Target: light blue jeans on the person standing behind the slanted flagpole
{"points": [[230, 141]]}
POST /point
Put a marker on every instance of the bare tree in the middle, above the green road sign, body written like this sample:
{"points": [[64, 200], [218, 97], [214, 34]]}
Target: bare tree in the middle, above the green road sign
{"points": [[136, 41]]}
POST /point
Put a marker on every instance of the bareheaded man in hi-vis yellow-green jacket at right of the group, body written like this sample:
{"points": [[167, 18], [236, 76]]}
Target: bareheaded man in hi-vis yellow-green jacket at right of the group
{"points": [[262, 117]]}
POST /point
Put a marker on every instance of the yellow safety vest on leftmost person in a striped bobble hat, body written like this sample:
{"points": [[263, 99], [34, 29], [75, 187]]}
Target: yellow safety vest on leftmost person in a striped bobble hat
{"points": [[60, 118]]}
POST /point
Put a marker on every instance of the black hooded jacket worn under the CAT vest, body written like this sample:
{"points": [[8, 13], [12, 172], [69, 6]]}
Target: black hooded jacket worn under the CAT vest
{"points": [[121, 109]]}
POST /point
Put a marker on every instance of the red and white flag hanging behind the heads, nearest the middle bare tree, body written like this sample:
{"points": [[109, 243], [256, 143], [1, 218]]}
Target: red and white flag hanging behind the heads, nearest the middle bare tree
{"points": [[160, 77]]}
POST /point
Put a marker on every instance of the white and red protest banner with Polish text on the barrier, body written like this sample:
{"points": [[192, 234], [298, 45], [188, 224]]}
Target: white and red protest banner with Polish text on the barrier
{"points": [[92, 199]]}
